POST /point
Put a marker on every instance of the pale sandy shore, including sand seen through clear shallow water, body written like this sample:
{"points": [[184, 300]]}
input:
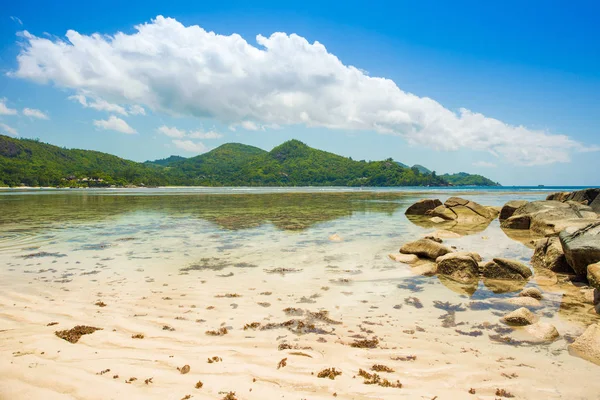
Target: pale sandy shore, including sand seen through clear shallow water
{"points": [[311, 298]]}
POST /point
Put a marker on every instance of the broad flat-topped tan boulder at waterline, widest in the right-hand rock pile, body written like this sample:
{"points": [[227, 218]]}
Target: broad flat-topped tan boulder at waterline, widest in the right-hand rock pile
{"points": [[549, 217]]}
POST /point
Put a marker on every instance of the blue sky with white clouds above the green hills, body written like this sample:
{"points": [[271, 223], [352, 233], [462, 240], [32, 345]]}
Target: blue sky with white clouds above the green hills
{"points": [[509, 90]]}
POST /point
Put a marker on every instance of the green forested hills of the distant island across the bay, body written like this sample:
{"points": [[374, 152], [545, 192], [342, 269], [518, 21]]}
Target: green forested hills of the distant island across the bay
{"points": [[27, 162]]}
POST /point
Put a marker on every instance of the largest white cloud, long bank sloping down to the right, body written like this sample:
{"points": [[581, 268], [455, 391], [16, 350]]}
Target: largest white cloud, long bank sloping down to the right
{"points": [[285, 80]]}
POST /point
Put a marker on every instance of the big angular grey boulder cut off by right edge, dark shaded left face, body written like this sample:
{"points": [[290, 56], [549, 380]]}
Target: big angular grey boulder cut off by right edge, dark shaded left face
{"points": [[581, 246]]}
